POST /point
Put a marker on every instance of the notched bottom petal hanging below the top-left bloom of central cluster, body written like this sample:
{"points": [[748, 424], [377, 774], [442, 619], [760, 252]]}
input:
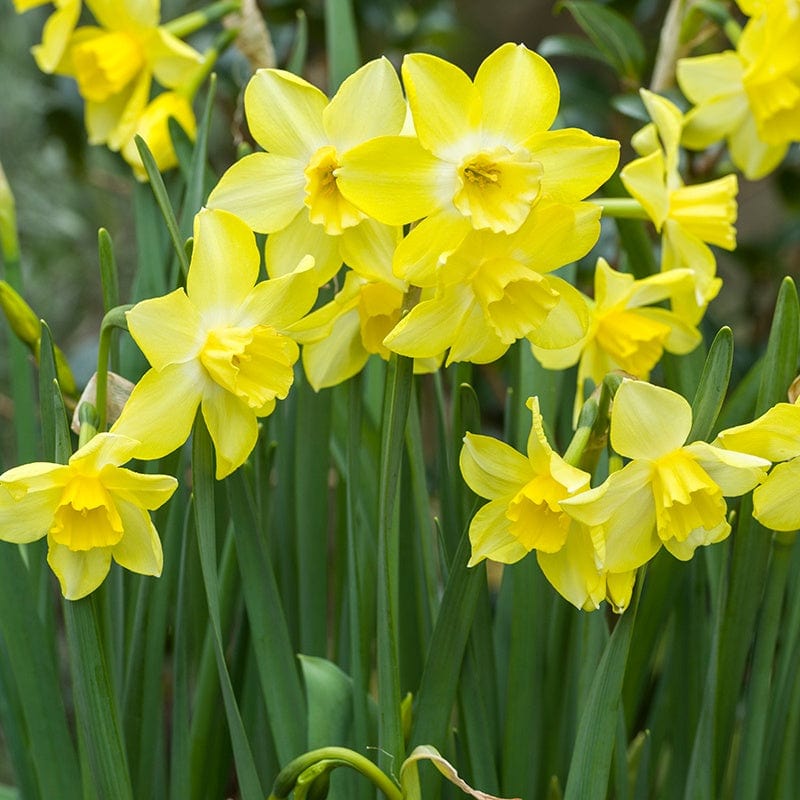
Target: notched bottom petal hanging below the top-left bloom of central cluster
{"points": [[286, 248]]}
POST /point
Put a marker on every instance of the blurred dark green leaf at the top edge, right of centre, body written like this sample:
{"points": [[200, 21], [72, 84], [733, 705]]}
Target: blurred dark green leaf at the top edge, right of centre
{"points": [[612, 34]]}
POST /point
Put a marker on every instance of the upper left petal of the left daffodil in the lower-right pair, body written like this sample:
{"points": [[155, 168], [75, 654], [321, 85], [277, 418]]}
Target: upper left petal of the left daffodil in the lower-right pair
{"points": [[491, 468]]}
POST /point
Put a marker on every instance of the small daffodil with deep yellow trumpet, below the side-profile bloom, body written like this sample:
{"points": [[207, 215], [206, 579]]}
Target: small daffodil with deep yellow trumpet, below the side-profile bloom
{"points": [[625, 332]]}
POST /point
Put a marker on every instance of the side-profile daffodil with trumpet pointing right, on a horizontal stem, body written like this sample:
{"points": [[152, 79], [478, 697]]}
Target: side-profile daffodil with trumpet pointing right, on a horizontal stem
{"points": [[688, 217]]}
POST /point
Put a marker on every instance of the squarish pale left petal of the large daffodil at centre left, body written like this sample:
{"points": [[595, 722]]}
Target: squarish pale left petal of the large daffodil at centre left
{"points": [[167, 329]]}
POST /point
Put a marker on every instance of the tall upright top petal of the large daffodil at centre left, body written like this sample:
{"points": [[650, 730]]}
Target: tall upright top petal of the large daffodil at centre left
{"points": [[224, 266]]}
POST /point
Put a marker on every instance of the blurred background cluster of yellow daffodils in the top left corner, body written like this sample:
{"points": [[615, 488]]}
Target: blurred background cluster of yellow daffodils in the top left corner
{"points": [[121, 64]]}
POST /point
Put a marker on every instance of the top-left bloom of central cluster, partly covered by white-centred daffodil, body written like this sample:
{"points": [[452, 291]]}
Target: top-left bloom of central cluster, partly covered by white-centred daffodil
{"points": [[291, 191]]}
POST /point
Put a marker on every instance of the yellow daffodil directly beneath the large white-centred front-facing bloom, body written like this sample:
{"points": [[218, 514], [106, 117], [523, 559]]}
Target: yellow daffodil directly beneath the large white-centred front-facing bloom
{"points": [[494, 289]]}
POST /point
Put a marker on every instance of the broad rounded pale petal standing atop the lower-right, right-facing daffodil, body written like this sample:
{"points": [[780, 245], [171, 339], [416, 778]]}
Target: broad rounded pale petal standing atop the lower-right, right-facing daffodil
{"points": [[648, 421]]}
